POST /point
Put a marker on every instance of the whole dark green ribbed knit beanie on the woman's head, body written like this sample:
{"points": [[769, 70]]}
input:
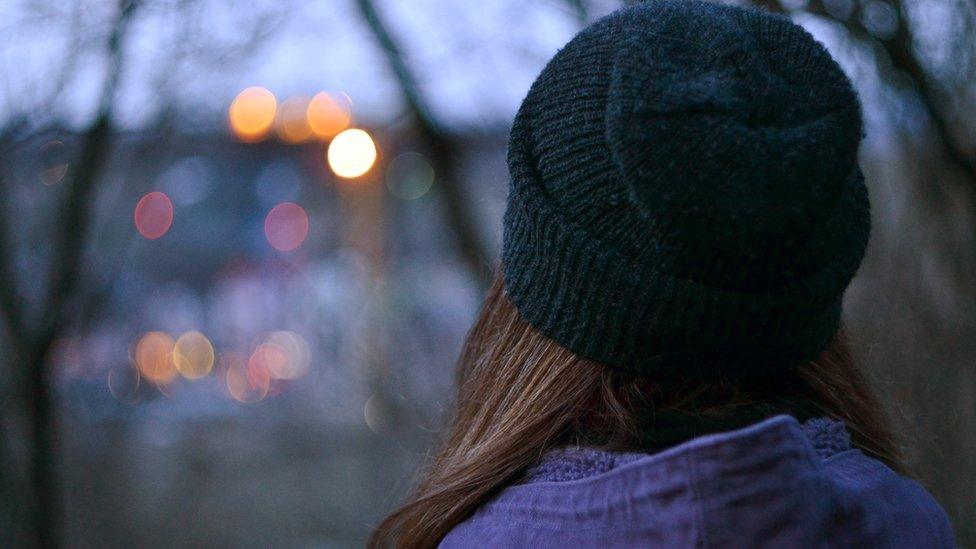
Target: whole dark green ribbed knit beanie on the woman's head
{"points": [[685, 194]]}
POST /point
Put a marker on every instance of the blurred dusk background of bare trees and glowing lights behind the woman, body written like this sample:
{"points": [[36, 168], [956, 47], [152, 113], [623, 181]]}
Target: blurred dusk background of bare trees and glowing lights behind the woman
{"points": [[241, 243]]}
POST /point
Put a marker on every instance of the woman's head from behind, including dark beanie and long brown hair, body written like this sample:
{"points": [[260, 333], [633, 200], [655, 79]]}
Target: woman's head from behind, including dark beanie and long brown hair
{"points": [[684, 215]]}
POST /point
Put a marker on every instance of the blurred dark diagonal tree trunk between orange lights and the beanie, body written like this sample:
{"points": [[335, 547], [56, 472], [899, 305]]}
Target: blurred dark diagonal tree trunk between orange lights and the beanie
{"points": [[443, 151]]}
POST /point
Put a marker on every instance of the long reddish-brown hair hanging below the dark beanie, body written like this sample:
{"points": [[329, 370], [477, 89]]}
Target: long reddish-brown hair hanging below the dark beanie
{"points": [[521, 394]]}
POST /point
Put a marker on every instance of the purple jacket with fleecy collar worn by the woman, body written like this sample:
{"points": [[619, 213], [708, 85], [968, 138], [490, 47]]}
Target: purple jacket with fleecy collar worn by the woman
{"points": [[774, 484]]}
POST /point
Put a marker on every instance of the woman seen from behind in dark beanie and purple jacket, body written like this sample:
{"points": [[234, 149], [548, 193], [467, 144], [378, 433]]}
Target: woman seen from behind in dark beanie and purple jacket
{"points": [[659, 362]]}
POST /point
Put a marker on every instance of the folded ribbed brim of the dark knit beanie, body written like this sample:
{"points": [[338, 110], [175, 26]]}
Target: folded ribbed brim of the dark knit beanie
{"points": [[645, 321]]}
